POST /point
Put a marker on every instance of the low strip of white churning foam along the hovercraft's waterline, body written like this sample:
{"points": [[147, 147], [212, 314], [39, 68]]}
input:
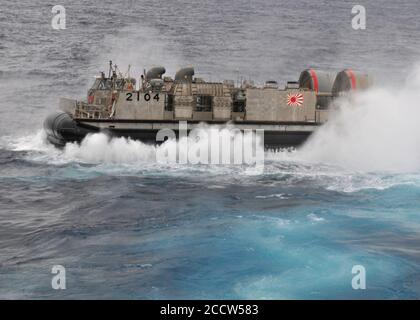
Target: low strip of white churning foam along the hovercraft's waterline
{"points": [[100, 154]]}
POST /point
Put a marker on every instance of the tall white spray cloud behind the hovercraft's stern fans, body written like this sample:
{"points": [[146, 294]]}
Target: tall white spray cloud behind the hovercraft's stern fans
{"points": [[375, 131]]}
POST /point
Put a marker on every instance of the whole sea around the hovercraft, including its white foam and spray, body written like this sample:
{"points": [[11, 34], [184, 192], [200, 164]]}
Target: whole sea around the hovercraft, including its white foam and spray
{"points": [[126, 226]]}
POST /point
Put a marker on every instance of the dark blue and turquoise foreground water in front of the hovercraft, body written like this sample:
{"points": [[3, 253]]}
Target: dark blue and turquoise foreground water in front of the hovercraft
{"points": [[143, 230]]}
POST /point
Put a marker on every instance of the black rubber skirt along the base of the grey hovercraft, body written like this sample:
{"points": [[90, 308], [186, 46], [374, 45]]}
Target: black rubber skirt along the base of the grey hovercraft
{"points": [[61, 128]]}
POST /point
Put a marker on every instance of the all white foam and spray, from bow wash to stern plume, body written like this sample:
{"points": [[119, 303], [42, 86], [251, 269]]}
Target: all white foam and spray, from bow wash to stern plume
{"points": [[323, 159]]}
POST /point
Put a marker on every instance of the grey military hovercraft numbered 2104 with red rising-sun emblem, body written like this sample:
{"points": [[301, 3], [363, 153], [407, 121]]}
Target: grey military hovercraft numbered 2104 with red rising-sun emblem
{"points": [[288, 115]]}
